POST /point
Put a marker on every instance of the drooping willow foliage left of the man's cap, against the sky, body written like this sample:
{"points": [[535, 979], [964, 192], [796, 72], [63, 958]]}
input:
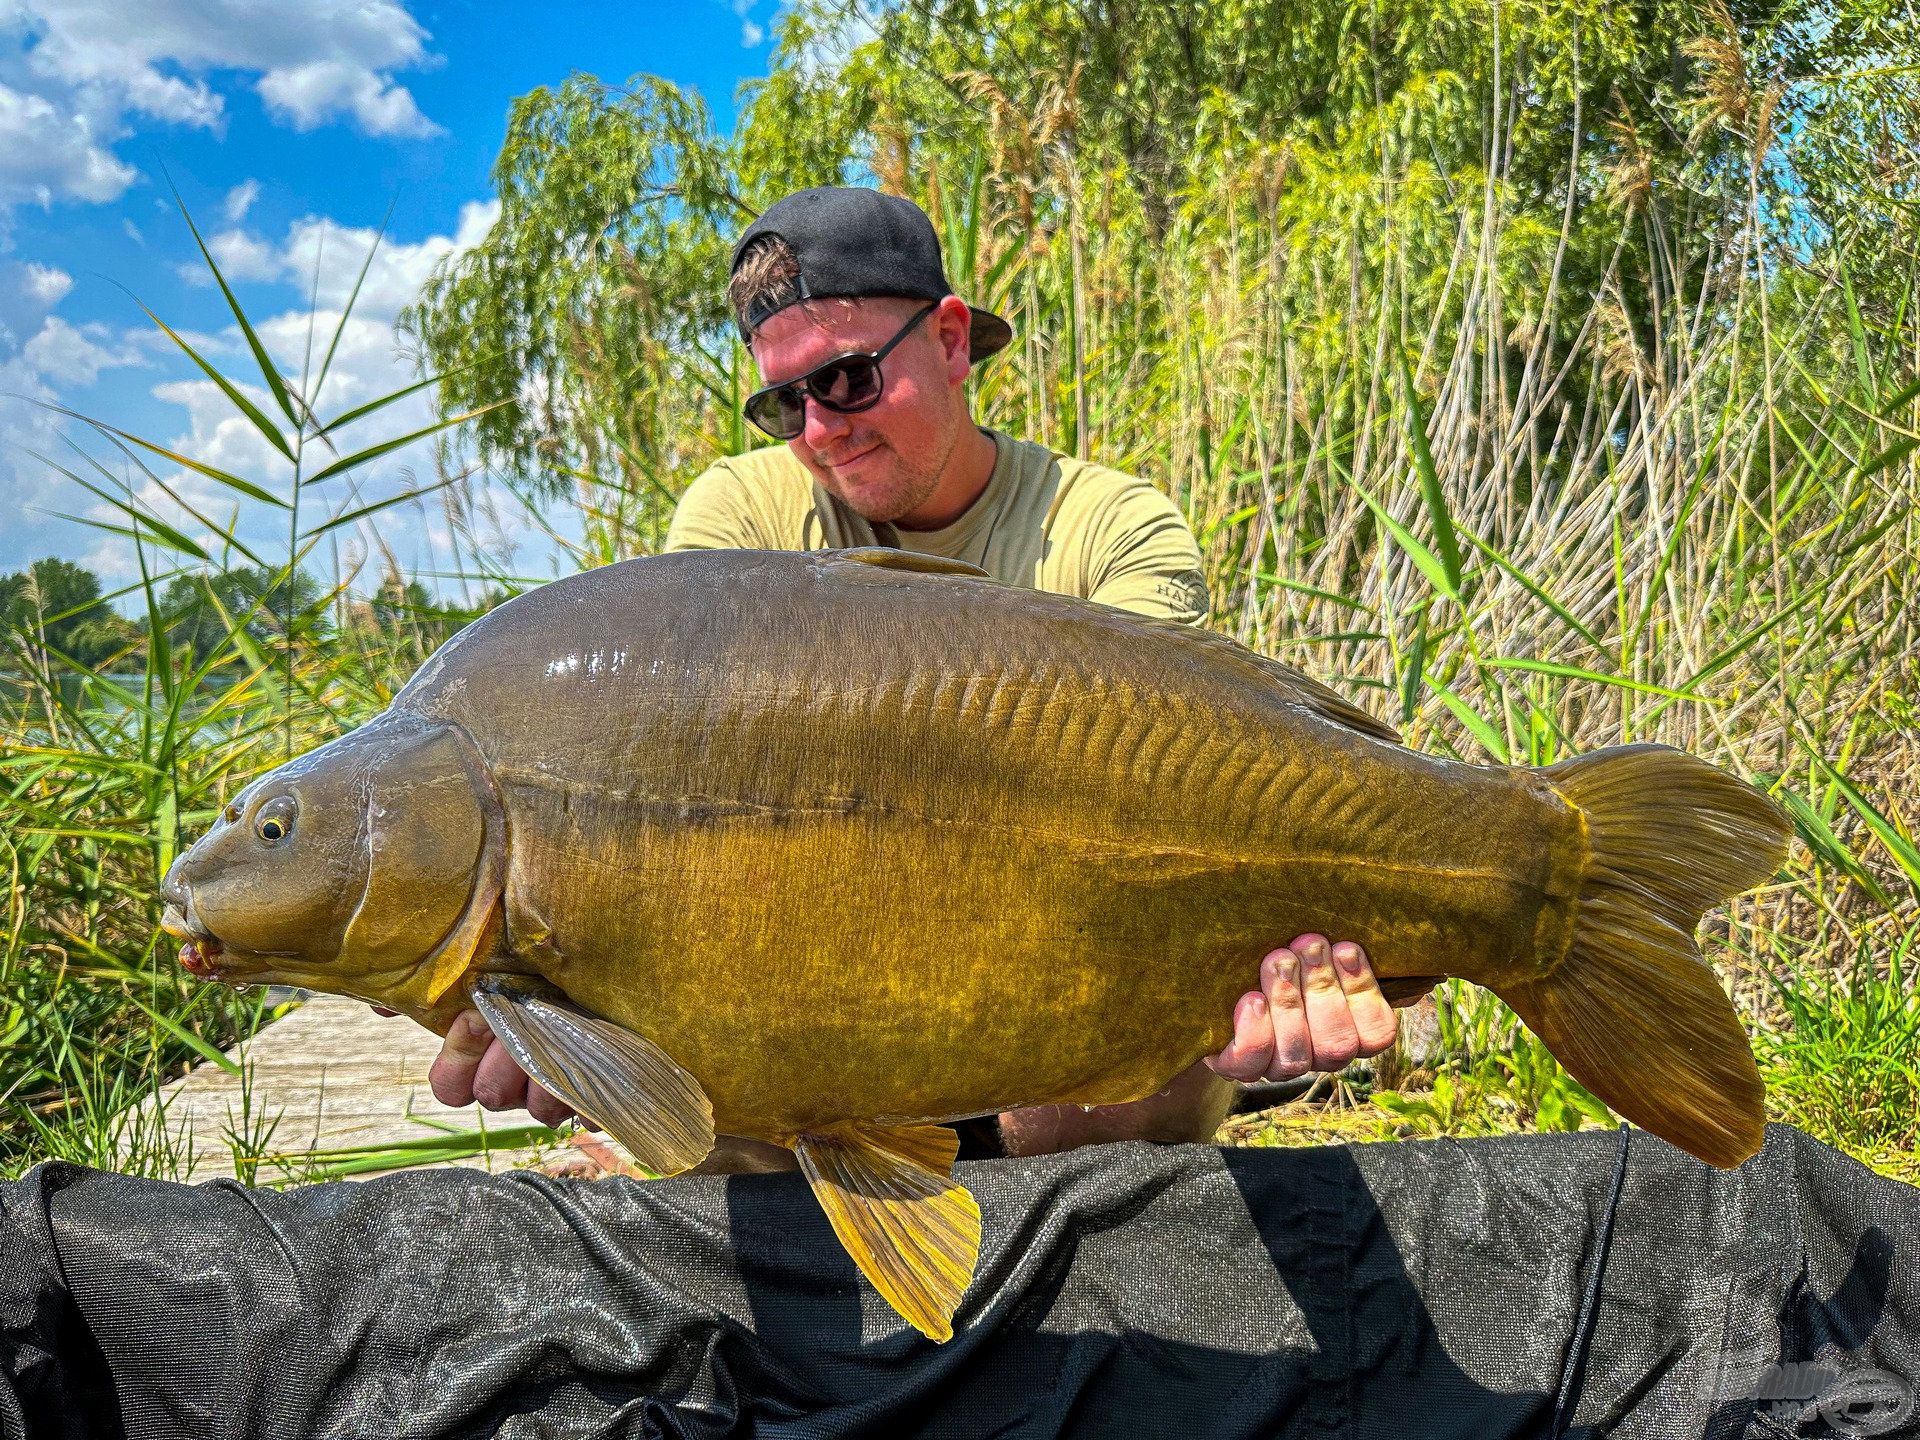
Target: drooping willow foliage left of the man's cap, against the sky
{"points": [[588, 320]]}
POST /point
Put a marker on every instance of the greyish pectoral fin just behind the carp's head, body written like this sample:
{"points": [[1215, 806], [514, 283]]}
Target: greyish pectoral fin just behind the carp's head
{"points": [[610, 1074]]}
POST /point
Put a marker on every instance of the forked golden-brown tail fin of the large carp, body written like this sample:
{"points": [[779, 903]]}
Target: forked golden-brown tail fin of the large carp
{"points": [[1635, 1011]]}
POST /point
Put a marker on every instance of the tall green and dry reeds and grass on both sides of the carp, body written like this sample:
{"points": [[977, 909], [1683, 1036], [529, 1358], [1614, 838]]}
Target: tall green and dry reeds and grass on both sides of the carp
{"points": [[1518, 523]]}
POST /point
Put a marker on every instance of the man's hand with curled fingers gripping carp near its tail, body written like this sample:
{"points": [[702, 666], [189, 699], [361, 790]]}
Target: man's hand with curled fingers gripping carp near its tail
{"points": [[1318, 1007]]}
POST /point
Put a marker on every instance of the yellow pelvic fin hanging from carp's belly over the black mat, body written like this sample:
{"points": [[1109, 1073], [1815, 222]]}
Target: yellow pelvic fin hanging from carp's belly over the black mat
{"points": [[909, 1226]]}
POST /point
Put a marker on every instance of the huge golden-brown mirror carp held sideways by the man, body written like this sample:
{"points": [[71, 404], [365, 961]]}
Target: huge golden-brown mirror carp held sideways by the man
{"points": [[823, 850]]}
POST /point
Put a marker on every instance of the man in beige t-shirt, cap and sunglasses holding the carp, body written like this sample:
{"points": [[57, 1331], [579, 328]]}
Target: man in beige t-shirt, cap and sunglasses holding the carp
{"points": [[846, 306]]}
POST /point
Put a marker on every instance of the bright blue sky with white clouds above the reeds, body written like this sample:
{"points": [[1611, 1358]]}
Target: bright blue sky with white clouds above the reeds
{"points": [[291, 132]]}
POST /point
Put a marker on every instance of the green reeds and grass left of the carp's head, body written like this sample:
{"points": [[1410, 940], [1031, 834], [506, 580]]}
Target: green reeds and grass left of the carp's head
{"points": [[237, 661]]}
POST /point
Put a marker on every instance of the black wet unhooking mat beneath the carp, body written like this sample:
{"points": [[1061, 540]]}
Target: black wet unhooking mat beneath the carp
{"points": [[1516, 1287]]}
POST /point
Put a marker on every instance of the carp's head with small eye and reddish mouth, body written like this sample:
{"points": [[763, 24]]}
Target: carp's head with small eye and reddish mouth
{"points": [[345, 869]]}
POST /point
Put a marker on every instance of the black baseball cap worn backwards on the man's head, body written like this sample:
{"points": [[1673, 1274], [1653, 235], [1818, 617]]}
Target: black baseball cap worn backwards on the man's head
{"points": [[861, 243]]}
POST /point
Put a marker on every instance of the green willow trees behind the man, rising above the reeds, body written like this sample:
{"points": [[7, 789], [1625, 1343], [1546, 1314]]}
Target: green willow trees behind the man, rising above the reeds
{"points": [[1143, 185]]}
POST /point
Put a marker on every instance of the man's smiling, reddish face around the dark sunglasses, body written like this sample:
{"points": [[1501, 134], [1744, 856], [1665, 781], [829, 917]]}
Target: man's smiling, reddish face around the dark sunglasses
{"points": [[882, 462]]}
